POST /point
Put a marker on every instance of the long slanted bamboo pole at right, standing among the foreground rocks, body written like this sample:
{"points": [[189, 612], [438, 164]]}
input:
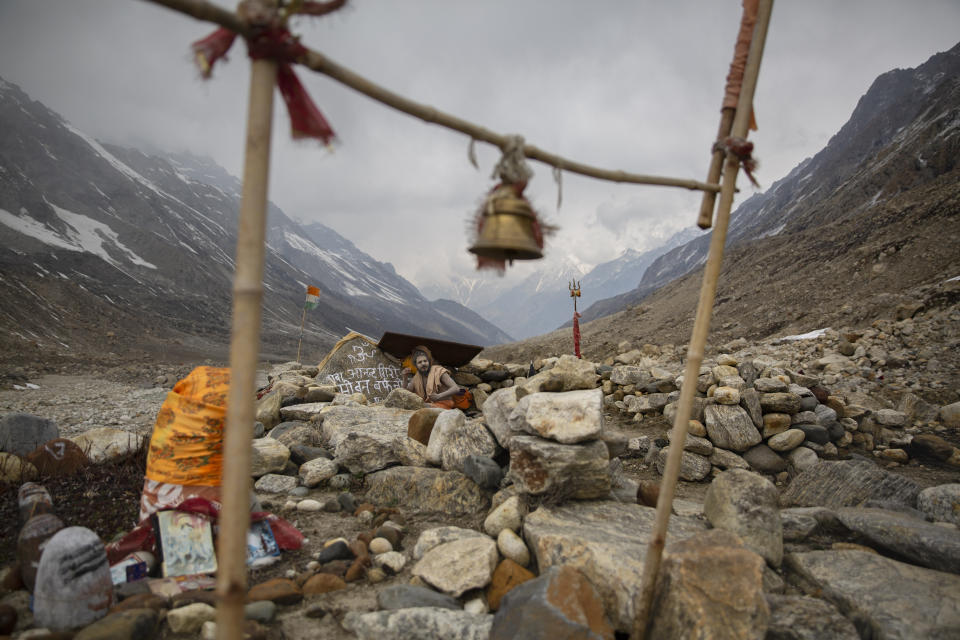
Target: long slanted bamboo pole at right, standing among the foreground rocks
{"points": [[701, 328]]}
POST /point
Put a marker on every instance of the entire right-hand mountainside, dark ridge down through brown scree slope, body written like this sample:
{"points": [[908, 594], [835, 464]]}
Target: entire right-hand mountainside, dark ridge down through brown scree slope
{"points": [[868, 224]]}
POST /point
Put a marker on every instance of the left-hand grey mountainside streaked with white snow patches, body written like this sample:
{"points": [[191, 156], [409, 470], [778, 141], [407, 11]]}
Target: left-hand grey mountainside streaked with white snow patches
{"points": [[105, 249]]}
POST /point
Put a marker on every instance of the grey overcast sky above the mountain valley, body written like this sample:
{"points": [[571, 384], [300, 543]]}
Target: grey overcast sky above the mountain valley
{"points": [[633, 85]]}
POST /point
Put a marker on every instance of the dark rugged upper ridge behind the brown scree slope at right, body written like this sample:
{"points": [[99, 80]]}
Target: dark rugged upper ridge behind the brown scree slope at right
{"points": [[902, 133]]}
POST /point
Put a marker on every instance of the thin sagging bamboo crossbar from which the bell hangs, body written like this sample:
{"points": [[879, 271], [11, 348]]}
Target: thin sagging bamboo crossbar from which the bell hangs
{"points": [[322, 64]]}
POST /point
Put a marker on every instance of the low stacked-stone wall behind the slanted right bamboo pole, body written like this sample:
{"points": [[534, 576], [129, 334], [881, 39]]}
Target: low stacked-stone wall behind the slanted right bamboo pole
{"points": [[760, 414]]}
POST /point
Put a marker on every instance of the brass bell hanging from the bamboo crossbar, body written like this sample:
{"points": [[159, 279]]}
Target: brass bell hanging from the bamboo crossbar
{"points": [[506, 229]]}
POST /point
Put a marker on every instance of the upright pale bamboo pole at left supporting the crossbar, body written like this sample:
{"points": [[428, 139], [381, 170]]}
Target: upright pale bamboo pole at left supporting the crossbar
{"points": [[244, 349]]}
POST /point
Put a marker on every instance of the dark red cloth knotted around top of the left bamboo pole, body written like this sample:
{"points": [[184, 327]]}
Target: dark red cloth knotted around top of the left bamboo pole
{"points": [[274, 43]]}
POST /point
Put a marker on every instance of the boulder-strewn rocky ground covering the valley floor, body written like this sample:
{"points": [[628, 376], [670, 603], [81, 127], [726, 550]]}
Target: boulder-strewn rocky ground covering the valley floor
{"points": [[815, 468]]}
